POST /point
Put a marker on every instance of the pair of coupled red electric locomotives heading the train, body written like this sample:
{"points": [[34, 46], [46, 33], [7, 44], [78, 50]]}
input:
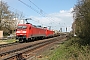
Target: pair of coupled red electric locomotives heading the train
{"points": [[25, 32]]}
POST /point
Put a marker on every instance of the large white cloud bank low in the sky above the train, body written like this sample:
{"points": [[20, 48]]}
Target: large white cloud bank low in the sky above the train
{"points": [[58, 20]]}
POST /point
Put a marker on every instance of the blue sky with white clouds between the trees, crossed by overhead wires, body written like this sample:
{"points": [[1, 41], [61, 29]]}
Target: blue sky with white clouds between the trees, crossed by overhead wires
{"points": [[54, 13]]}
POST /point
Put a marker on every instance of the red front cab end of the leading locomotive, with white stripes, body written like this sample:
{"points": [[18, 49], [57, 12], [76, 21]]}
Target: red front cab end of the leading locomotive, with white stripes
{"points": [[23, 32]]}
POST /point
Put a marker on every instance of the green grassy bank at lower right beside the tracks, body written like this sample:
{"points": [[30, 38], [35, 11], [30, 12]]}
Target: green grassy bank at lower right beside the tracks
{"points": [[71, 50]]}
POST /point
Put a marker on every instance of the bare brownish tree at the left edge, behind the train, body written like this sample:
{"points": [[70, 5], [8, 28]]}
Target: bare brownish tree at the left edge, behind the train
{"points": [[8, 19]]}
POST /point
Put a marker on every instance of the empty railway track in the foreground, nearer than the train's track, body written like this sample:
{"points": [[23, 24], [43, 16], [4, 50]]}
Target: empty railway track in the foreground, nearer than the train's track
{"points": [[21, 53]]}
